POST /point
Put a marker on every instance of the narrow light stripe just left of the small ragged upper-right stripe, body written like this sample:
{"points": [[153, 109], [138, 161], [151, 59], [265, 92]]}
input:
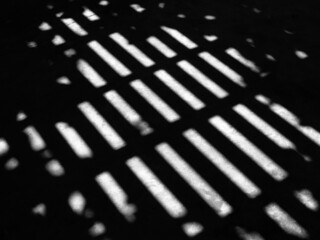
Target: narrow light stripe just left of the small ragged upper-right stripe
{"points": [[224, 69]]}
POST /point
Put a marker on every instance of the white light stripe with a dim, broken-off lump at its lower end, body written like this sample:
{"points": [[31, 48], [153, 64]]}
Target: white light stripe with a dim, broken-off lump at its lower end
{"points": [[128, 112]]}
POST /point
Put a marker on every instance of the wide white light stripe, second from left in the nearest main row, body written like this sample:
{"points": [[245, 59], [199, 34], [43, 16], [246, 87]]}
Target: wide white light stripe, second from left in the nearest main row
{"points": [[168, 201]]}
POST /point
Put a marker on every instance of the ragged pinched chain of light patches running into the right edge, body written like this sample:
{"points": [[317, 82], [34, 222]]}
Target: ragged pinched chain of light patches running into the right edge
{"points": [[293, 120]]}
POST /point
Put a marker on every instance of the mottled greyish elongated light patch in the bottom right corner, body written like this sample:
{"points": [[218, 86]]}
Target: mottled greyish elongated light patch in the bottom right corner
{"points": [[285, 221]]}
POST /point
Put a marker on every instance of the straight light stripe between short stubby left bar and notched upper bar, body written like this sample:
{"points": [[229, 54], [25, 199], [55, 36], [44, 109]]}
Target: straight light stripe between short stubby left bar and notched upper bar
{"points": [[113, 62]]}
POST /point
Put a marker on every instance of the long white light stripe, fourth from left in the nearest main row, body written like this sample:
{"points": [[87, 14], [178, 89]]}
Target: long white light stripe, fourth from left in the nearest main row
{"points": [[222, 163]]}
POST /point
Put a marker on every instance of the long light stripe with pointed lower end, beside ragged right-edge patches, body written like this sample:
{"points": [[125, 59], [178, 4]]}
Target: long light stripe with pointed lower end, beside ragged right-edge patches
{"points": [[264, 127]]}
